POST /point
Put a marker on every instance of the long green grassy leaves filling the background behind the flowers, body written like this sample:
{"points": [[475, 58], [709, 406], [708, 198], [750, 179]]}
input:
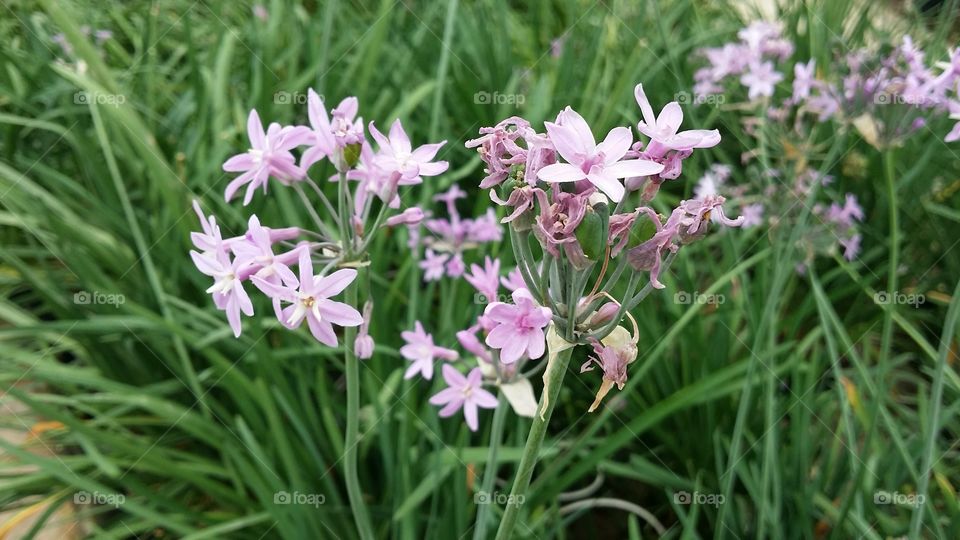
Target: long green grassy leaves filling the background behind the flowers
{"points": [[782, 399]]}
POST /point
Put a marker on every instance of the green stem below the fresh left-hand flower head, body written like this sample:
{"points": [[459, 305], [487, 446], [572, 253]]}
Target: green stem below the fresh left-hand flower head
{"points": [[352, 442]]}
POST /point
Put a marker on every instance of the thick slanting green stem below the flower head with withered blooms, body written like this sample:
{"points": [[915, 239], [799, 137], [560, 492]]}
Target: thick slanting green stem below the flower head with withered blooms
{"points": [[531, 451]]}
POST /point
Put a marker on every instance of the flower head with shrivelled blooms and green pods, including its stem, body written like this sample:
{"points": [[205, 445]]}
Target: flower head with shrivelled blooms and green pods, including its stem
{"points": [[581, 228]]}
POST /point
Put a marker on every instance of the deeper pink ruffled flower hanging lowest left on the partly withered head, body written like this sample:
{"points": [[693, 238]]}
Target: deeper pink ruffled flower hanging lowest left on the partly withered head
{"points": [[518, 329]]}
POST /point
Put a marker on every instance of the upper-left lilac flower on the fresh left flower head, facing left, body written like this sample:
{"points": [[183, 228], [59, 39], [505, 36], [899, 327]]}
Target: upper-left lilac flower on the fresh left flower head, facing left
{"points": [[269, 155]]}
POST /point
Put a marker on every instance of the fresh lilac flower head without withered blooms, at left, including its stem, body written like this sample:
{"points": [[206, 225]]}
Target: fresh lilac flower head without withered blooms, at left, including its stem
{"points": [[301, 269]]}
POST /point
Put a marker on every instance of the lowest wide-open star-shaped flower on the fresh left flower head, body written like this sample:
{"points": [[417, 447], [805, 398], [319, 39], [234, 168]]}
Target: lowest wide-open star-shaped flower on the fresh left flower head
{"points": [[310, 300]]}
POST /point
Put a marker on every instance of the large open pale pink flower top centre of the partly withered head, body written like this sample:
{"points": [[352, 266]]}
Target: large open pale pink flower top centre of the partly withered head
{"points": [[598, 163]]}
